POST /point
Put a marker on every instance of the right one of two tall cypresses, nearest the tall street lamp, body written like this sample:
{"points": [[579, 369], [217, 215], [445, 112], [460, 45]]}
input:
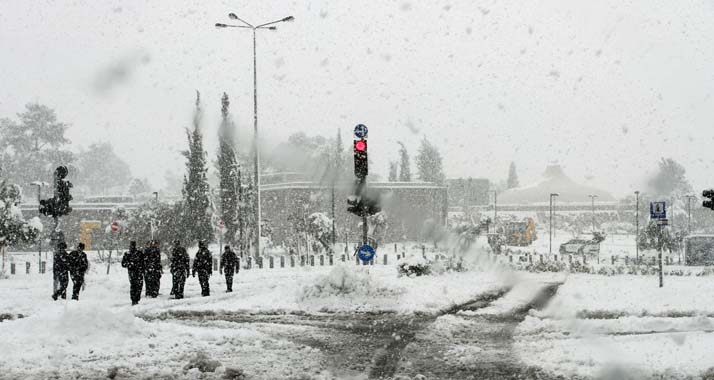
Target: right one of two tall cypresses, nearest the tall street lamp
{"points": [[228, 172]]}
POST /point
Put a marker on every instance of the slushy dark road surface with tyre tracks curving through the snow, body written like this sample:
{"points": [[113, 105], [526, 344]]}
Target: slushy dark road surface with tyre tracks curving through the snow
{"points": [[456, 343]]}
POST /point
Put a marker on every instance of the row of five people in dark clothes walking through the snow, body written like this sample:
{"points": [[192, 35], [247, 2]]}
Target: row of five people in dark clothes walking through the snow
{"points": [[145, 266]]}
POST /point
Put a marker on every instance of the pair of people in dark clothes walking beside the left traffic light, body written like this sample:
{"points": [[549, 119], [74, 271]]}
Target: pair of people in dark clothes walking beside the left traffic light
{"points": [[69, 265]]}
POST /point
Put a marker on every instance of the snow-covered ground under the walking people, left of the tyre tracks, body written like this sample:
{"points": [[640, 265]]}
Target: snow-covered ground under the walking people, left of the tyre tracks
{"points": [[101, 334]]}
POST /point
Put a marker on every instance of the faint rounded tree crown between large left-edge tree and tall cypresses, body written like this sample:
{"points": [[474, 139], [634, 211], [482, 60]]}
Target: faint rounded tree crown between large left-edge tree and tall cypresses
{"points": [[100, 169]]}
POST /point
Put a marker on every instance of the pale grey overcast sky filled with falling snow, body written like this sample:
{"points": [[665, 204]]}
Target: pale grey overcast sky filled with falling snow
{"points": [[604, 88]]}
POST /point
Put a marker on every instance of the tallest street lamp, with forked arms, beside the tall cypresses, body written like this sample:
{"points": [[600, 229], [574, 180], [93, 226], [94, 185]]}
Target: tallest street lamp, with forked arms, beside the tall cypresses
{"points": [[256, 157]]}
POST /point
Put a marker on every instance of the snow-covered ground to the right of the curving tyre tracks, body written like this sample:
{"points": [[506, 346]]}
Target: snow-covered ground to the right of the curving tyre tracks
{"points": [[623, 326]]}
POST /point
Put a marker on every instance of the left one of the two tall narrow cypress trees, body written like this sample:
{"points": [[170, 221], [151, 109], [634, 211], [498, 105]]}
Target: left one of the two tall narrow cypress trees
{"points": [[196, 203]]}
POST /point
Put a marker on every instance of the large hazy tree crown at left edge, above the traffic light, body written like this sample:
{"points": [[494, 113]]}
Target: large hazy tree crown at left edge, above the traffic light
{"points": [[32, 147]]}
